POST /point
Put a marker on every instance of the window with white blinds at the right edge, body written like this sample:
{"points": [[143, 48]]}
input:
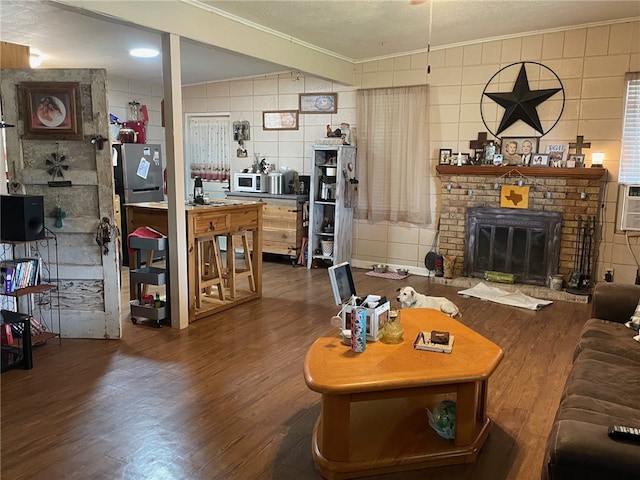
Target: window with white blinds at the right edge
{"points": [[630, 157]]}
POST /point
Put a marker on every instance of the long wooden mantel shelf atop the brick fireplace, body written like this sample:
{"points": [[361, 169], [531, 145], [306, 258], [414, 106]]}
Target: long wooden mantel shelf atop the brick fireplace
{"points": [[515, 171]]}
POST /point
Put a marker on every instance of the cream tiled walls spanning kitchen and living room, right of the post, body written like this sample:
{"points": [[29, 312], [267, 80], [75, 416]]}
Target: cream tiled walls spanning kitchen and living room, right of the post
{"points": [[591, 63]]}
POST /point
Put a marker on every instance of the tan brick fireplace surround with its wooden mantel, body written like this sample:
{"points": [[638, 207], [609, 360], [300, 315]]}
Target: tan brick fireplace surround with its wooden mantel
{"points": [[571, 192]]}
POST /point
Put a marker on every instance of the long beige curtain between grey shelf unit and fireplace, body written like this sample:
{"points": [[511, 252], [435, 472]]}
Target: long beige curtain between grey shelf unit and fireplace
{"points": [[393, 155]]}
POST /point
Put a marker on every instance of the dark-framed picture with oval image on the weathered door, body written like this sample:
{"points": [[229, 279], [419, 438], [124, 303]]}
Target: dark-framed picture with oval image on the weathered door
{"points": [[51, 110]]}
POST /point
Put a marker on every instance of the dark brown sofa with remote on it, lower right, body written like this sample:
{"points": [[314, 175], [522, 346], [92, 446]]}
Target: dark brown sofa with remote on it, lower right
{"points": [[602, 389]]}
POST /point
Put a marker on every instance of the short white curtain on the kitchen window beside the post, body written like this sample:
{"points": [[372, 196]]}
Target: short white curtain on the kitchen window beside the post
{"points": [[208, 147]]}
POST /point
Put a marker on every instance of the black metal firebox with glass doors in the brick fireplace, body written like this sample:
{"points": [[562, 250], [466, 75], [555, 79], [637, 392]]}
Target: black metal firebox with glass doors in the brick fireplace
{"points": [[525, 243]]}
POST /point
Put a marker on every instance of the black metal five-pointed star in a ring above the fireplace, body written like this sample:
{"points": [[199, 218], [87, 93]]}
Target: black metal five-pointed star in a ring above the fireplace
{"points": [[521, 102]]}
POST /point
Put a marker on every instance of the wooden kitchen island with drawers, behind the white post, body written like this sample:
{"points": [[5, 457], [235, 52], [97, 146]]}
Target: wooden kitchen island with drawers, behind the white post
{"points": [[221, 216]]}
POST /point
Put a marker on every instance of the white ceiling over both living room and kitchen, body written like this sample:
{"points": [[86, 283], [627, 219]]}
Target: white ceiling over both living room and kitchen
{"points": [[355, 30]]}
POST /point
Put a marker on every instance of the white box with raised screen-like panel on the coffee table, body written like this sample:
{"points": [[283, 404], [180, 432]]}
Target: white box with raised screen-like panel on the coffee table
{"points": [[344, 293]]}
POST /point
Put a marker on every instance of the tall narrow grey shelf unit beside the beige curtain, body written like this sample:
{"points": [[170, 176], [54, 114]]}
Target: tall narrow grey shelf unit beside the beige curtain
{"points": [[331, 201]]}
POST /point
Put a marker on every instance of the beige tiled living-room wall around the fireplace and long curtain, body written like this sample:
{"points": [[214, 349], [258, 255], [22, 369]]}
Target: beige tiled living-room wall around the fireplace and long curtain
{"points": [[591, 63]]}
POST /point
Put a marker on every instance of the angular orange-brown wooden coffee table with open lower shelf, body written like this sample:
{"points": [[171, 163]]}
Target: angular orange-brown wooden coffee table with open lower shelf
{"points": [[374, 417]]}
